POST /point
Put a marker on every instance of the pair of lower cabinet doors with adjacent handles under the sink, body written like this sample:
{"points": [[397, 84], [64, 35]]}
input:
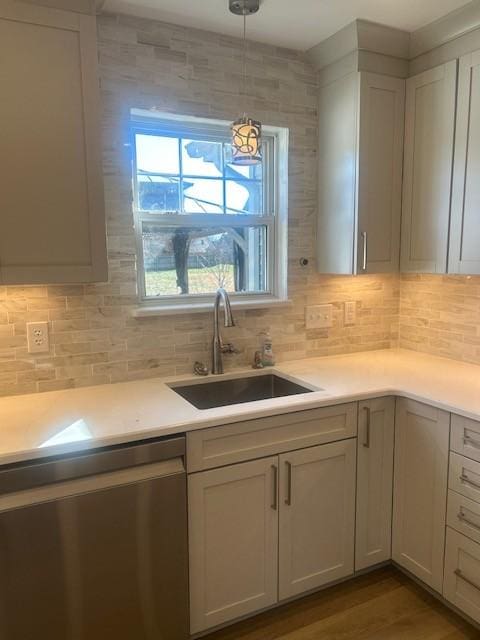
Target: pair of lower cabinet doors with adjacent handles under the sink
{"points": [[269, 529]]}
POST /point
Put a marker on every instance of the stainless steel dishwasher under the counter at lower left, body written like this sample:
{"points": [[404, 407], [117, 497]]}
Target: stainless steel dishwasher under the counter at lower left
{"points": [[94, 546]]}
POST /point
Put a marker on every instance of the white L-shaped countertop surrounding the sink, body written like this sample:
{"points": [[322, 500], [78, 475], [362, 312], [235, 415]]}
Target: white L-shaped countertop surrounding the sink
{"points": [[57, 422]]}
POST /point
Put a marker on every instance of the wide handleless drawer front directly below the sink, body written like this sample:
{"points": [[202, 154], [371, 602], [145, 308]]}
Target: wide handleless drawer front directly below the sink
{"points": [[219, 446]]}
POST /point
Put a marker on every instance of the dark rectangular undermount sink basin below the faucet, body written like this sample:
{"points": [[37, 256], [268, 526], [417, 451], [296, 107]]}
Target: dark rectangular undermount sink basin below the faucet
{"points": [[220, 393]]}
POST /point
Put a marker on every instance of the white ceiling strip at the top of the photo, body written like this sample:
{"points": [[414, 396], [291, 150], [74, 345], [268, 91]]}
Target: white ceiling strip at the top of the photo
{"points": [[298, 24]]}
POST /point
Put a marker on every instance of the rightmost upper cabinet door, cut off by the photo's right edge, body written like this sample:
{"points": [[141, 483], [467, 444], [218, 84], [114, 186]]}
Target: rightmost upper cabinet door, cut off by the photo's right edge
{"points": [[464, 255]]}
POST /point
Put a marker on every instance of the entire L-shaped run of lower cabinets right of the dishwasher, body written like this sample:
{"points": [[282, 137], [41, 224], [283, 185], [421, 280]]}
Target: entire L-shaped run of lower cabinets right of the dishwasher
{"points": [[267, 530]]}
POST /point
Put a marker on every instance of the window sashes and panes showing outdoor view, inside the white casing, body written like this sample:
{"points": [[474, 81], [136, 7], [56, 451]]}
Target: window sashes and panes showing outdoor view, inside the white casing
{"points": [[202, 220]]}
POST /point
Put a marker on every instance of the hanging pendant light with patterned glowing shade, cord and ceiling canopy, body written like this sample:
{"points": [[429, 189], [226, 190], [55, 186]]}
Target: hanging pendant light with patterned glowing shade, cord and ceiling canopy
{"points": [[246, 132]]}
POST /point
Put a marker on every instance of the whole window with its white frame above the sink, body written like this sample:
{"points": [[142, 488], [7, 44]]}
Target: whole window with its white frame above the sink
{"points": [[201, 222]]}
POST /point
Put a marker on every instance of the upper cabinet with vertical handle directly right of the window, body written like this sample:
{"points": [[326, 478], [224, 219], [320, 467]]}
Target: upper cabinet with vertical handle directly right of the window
{"points": [[361, 130]]}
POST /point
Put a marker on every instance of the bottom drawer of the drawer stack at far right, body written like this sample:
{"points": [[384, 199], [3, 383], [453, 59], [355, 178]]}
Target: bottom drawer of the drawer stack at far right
{"points": [[461, 584]]}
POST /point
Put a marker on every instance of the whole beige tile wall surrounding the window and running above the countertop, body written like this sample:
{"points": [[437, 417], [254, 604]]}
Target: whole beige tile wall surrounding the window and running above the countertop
{"points": [[94, 337]]}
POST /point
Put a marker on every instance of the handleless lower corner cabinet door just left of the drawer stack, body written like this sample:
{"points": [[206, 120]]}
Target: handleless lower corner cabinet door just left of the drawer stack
{"points": [[420, 490]]}
